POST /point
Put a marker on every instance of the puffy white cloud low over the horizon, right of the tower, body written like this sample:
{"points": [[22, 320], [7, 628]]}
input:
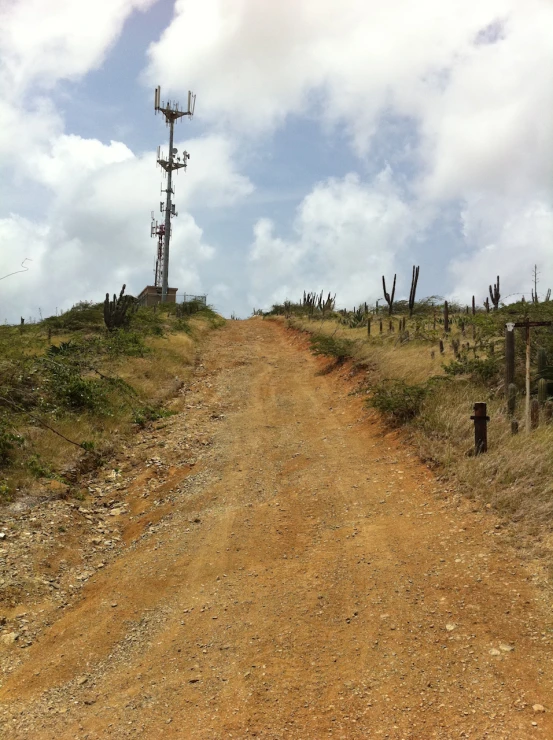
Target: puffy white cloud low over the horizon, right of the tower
{"points": [[347, 234]]}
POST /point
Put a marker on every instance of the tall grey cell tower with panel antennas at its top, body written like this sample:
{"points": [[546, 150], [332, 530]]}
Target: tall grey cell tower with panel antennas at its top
{"points": [[172, 113]]}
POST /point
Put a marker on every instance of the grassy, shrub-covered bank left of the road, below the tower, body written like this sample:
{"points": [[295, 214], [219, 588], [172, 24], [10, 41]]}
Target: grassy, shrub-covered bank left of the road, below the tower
{"points": [[71, 392]]}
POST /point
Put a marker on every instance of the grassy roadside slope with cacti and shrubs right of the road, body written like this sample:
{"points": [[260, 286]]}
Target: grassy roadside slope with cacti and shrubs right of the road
{"points": [[430, 395]]}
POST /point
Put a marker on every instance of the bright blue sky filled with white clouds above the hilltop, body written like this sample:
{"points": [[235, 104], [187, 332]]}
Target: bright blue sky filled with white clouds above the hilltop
{"points": [[334, 141]]}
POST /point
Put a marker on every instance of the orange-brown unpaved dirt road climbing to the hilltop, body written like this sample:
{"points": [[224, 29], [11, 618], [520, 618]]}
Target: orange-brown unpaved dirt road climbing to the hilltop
{"points": [[306, 578]]}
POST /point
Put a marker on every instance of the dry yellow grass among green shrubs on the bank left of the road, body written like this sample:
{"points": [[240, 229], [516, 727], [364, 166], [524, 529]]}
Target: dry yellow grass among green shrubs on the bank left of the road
{"points": [[153, 379]]}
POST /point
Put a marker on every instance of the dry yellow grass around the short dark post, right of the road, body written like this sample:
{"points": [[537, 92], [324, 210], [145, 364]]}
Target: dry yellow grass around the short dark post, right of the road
{"points": [[515, 477]]}
